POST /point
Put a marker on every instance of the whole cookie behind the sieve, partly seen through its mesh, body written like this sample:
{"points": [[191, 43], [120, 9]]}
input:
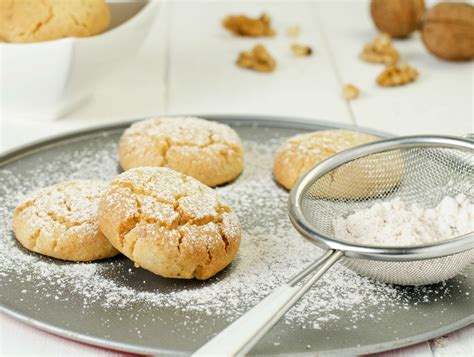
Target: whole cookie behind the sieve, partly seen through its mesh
{"points": [[366, 177]]}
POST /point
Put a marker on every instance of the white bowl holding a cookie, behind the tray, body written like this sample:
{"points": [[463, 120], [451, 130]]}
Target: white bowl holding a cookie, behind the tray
{"points": [[45, 80]]}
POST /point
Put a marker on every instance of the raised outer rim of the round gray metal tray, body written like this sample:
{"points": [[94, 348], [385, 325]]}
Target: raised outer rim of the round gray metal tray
{"points": [[245, 120]]}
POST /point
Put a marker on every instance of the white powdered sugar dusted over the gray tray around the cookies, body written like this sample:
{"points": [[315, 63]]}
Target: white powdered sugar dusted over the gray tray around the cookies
{"points": [[271, 251]]}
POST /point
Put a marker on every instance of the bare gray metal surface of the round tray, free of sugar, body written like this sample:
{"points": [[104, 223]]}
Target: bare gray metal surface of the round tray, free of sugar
{"points": [[171, 331]]}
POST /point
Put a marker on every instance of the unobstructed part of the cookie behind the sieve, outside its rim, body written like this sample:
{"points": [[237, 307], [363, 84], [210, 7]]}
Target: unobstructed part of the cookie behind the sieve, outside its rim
{"points": [[301, 152]]}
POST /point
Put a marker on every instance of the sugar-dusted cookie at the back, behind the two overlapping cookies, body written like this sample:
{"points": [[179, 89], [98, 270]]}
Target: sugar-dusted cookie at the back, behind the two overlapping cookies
{"points": [[208, 151]]}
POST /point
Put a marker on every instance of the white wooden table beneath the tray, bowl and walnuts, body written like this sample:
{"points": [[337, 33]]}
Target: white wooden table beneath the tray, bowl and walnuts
{"points": [[187, 66]]}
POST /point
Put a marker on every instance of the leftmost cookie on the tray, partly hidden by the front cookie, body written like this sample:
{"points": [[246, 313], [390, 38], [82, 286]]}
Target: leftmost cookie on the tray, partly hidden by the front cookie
{"points": [[61, 221]]}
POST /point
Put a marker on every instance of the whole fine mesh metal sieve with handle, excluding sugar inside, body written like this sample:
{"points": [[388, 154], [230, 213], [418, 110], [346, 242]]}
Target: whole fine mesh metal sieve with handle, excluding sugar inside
{"points": [[419, 170]]}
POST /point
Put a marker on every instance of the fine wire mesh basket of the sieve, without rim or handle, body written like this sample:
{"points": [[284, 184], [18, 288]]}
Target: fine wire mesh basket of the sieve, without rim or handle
{"points": [[418, 175]]}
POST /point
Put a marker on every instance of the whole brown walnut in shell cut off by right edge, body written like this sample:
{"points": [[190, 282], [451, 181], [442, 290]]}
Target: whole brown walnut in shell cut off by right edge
{"points": [[448, 31]]}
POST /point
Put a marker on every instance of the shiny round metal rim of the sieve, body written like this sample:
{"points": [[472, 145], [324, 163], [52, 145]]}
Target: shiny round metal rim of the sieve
{"points": [[400, 253]]}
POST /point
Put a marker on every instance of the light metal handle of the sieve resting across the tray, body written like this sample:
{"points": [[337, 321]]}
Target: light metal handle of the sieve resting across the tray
{"points": [[240, 336]]}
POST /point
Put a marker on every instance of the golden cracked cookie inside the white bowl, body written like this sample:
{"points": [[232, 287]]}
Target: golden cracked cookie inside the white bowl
{"points": [[36, 21]]}
